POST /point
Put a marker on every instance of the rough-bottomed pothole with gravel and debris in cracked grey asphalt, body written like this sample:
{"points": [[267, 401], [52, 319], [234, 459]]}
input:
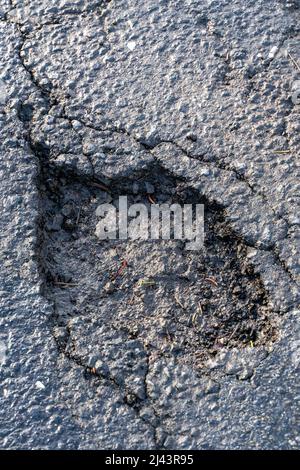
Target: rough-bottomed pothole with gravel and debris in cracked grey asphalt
{"points": [[116, 302]]}
